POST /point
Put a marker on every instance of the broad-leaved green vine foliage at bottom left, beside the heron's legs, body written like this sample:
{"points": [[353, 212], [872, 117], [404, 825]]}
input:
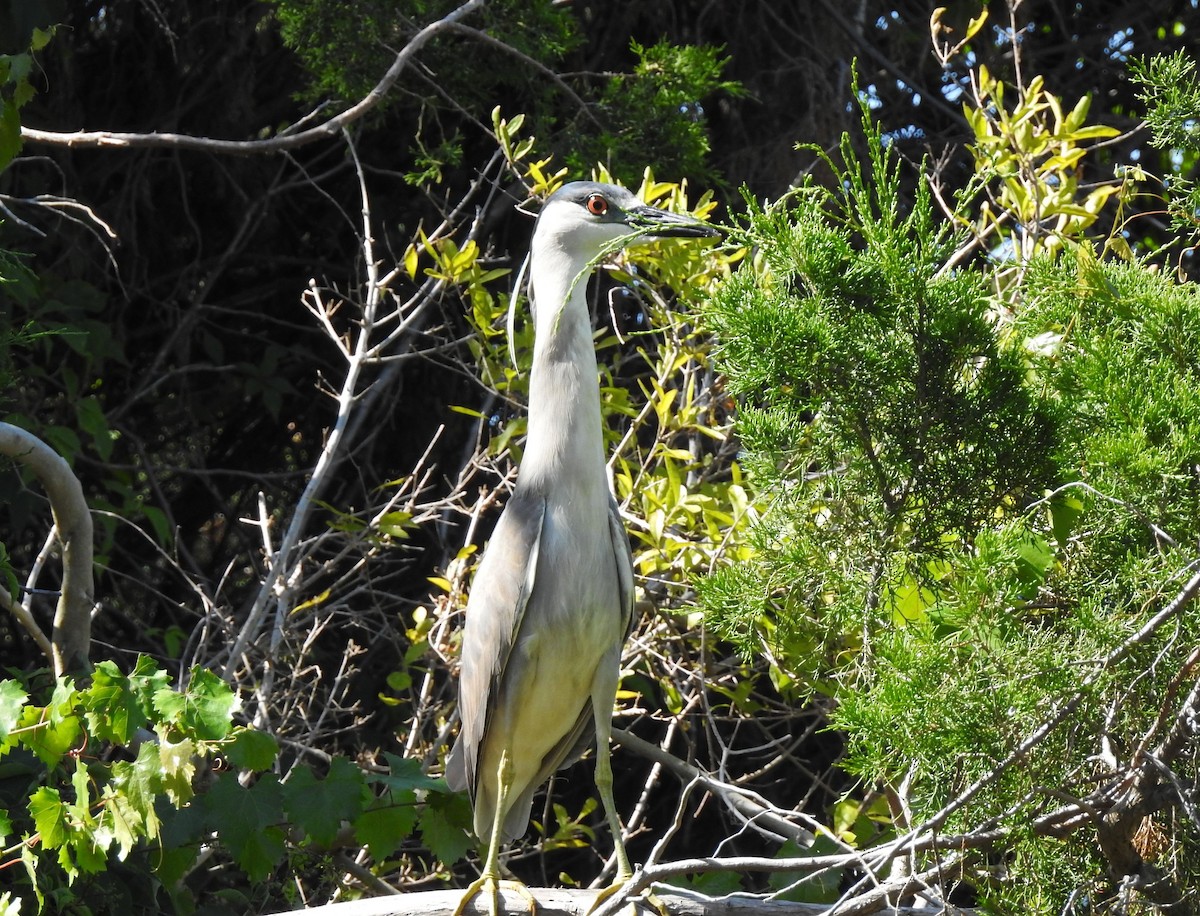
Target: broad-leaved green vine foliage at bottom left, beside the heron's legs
{"points": [[94, 775]]}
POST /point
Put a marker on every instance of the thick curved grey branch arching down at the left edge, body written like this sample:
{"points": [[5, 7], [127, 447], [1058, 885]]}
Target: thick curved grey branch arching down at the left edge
{"points": [[71, 637]]}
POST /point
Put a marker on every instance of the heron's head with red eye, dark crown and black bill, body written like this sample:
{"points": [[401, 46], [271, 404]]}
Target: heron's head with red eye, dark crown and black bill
{"points": [[585, 218]]}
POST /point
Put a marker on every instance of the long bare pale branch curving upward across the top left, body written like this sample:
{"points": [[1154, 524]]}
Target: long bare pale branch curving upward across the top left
{"points": [[281, 143]]}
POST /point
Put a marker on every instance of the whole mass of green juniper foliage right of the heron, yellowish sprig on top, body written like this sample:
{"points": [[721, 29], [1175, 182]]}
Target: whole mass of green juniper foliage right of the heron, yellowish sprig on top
{"points": [[976, 484]]}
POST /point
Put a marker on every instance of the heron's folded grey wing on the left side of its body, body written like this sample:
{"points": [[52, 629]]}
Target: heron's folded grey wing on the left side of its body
{"points": [[495, 610]]}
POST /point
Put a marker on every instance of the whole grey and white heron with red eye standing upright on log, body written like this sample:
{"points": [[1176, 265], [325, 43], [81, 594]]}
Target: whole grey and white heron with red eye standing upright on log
{"points": [[553, 602]]}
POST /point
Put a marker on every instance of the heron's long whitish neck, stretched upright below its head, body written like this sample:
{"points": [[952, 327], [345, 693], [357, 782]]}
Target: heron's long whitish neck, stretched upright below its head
{"points": [[566, 442]]}
